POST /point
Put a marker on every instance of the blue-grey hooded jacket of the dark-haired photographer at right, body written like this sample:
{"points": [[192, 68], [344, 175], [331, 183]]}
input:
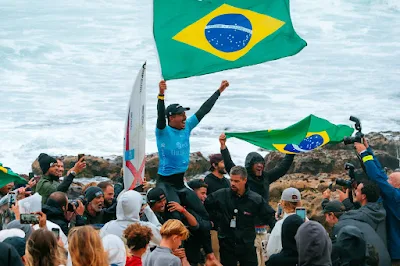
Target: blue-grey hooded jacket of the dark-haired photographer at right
{"points": [[374, 214]]}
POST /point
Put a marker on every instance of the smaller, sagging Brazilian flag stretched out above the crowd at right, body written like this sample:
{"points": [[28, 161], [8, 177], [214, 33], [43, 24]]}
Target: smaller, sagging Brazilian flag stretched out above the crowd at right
{"points": [[310, 133]]}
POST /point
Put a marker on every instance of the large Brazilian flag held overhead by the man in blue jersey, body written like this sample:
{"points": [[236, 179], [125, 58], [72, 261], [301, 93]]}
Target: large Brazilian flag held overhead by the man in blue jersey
{"points": [[197, 37]]}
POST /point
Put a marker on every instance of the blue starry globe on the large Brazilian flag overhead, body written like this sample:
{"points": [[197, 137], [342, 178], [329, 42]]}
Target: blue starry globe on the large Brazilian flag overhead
{"points": [[229, 32]]}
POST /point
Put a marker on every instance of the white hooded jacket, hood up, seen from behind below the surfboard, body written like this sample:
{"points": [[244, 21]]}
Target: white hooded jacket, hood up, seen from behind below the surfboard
{"points": [[128, 209]]}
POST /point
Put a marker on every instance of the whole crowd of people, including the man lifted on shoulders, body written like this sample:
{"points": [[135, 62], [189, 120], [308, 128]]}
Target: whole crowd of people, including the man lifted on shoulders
{"points": [[211, 221]]}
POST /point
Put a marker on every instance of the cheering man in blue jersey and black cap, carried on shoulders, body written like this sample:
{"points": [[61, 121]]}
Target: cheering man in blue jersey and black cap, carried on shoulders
{"points": [[174, 148]]}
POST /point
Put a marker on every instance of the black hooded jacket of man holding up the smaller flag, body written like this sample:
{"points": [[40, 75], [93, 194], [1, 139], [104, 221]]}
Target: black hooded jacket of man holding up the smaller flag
{"points": [[260, 185]]}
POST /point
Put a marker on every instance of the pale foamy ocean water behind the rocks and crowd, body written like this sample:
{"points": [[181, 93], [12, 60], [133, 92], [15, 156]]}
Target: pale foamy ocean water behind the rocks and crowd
{"points": [[67, 67]]}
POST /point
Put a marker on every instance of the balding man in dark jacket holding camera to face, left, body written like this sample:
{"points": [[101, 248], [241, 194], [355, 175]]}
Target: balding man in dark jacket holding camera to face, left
{"points": [[56, 210]]}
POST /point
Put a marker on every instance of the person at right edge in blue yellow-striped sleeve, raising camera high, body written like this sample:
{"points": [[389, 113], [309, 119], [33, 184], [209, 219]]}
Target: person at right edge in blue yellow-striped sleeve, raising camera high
{"points": [[390, 192]]}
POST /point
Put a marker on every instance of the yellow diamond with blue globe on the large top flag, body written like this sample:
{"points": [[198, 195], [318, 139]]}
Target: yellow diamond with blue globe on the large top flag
{"points": [[229, 32]]}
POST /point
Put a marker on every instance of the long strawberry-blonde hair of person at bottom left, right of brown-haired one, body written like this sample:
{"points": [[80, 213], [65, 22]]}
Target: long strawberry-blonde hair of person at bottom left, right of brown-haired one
{"points": [[85, 247]]}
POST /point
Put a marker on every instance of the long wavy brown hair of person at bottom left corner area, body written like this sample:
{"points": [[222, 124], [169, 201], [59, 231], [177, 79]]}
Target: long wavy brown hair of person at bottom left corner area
{"points": [[42, 249]]}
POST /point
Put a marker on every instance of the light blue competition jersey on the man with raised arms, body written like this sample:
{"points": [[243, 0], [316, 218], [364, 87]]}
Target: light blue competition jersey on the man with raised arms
{"points": [[174, 147]]}
